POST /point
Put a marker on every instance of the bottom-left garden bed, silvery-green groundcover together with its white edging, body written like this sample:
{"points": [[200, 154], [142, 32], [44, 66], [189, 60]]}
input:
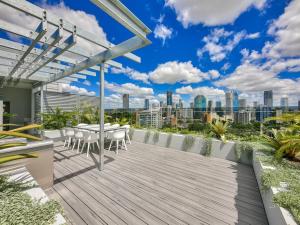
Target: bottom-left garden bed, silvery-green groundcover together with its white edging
{"points": [[24, 202]]}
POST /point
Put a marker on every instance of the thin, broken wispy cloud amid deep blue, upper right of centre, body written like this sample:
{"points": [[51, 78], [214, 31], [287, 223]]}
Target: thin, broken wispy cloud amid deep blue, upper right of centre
{"points": [[219, 43]]}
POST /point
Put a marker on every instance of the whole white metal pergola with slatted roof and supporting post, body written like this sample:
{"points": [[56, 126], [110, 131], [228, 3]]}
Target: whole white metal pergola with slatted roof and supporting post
{"points": [[54, 55]]}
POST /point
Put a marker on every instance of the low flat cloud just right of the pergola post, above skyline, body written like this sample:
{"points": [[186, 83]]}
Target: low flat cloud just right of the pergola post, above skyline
{"points": [[129, 88]]}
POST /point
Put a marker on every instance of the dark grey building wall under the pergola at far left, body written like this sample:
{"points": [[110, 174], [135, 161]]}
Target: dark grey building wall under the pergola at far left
{"points": [[20, 103]]}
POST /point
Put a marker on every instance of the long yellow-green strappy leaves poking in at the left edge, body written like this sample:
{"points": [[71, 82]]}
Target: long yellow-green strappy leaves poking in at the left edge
{"points": [[5, 135]]}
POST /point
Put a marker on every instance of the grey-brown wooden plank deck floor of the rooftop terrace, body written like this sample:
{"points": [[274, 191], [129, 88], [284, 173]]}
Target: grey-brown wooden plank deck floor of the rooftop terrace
{"points": [[154, 185]]}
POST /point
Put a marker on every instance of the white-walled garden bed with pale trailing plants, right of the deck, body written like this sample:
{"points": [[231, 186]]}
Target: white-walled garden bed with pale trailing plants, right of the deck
{"points": [[276, 215]]}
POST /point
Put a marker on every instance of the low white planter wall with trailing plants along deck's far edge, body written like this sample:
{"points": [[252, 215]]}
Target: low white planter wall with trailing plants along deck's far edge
{"points": [[196, 145]]}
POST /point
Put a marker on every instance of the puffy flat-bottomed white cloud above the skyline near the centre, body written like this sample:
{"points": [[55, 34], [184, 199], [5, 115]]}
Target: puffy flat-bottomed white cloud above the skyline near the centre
{"points": [[173, 71]]}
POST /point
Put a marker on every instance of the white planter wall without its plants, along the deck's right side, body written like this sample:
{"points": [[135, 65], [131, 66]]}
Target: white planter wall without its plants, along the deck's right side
{"points": [[276, 215]]}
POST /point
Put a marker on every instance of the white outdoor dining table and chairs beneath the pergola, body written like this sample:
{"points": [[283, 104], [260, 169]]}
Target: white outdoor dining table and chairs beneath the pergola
{"points": [[84, 135]]}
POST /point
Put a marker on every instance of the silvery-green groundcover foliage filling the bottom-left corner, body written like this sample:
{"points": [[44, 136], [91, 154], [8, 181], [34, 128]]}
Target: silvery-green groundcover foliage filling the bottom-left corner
{"points": [[17, 207]]}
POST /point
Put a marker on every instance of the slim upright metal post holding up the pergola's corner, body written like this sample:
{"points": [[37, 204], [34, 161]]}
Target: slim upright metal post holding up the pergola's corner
{"points": [[101, 117]]}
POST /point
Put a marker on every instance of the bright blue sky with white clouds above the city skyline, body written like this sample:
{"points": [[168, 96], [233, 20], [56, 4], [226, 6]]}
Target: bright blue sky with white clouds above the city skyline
{"points": [[200, 47]]}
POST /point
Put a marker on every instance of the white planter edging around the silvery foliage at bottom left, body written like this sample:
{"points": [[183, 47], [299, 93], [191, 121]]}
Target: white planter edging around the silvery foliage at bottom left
{"points": [[36, 192]]}
